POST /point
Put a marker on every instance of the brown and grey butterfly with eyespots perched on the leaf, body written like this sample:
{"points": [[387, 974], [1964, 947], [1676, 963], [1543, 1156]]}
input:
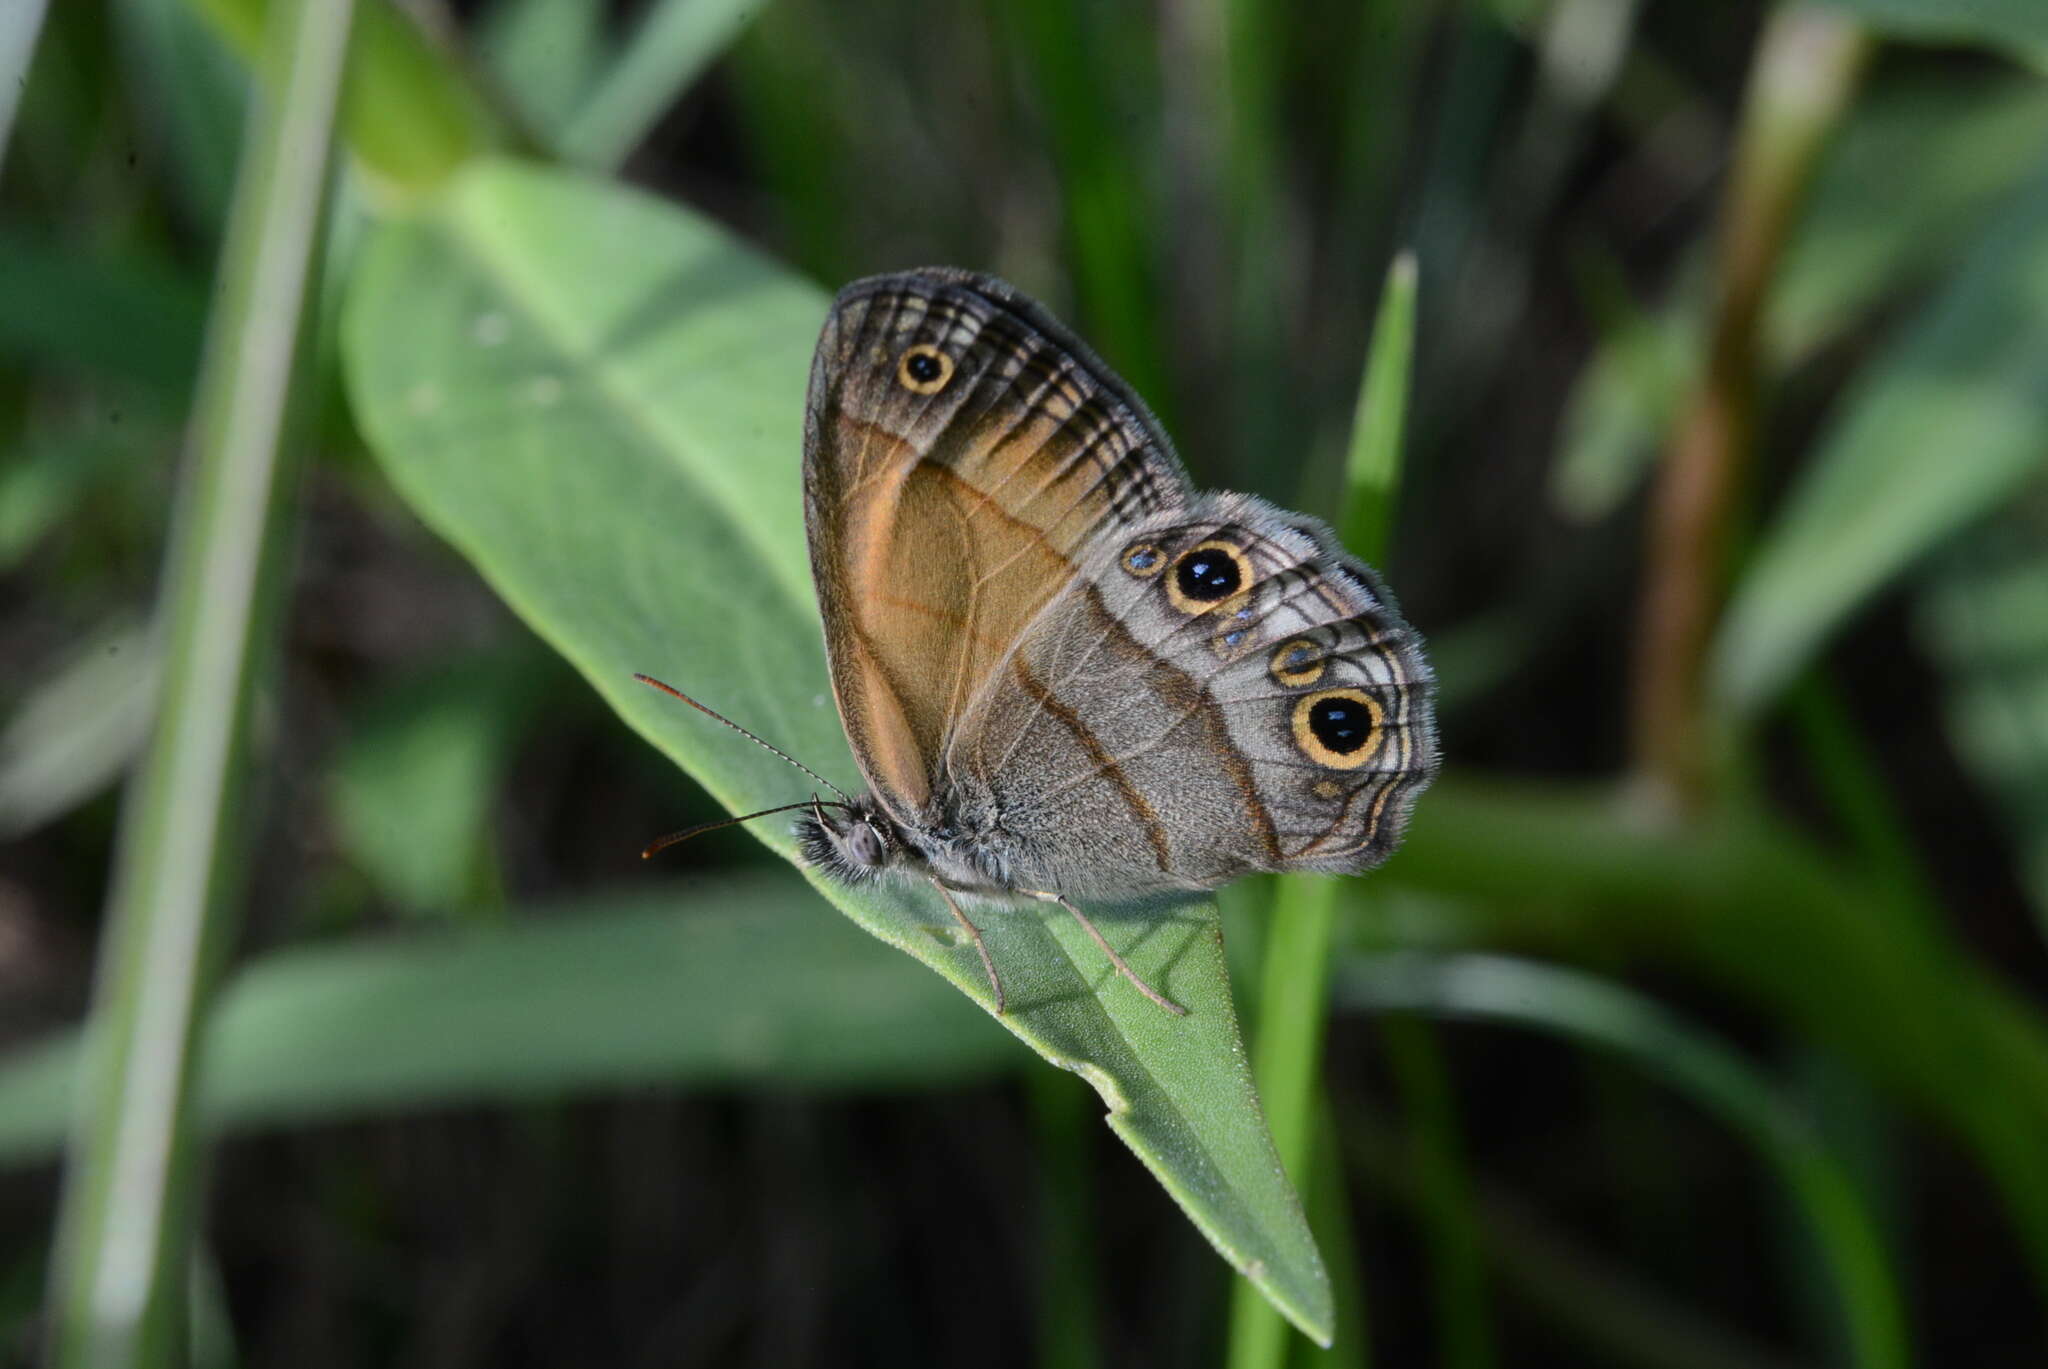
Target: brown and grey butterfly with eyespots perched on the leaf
{"points": [[1066, 673]]}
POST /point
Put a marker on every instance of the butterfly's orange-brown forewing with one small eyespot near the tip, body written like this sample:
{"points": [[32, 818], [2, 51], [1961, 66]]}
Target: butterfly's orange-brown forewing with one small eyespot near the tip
{"points": [[964, 454]]}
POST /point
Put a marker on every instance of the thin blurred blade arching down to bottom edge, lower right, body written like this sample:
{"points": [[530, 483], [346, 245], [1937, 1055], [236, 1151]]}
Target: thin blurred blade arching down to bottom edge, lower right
{"points": [[1611, 1018]]}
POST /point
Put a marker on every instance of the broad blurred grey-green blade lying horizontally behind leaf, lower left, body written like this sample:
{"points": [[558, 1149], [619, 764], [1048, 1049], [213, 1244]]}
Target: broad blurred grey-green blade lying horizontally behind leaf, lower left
{"points": [[726, 983]]}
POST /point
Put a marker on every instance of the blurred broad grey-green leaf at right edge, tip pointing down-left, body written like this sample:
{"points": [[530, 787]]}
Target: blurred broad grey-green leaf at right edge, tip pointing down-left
{"points": [[1938, 431]]}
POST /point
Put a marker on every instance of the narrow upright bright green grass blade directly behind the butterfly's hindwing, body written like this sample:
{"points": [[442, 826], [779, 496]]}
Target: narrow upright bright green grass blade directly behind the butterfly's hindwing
{"points": [[1295, 979]]}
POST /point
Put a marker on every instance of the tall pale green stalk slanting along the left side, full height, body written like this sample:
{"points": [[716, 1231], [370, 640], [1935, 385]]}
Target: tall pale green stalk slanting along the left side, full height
{"points": [[130, 1194]]}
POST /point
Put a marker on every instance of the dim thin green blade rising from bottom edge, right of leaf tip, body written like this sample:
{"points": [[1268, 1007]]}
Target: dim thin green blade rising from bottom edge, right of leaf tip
{"points": [[1445, 1200]]}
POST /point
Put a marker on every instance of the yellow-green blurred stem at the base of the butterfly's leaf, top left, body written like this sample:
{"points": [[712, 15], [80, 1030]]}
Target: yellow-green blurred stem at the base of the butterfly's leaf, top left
{"points": [[409, 112]]}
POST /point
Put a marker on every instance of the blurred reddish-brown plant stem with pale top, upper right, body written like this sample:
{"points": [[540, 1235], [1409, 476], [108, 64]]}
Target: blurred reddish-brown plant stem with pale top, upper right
{"points": [[1803, 81]]}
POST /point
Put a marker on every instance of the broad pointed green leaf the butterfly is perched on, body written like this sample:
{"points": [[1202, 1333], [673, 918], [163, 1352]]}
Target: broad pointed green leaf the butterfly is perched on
{"points": [[599, 401]]}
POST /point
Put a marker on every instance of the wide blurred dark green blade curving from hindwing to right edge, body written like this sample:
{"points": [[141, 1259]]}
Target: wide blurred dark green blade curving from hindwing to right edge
{"points": [[1973, 1052]]}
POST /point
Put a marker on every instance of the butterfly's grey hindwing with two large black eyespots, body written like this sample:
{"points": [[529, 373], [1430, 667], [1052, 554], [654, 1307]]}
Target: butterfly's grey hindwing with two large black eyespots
{"points": [[1222, 692]]}
